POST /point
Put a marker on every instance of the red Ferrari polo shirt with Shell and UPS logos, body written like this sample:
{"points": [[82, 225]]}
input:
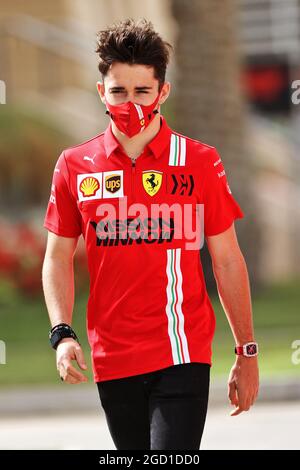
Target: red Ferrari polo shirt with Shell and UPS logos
{"points": [[148, 307]]}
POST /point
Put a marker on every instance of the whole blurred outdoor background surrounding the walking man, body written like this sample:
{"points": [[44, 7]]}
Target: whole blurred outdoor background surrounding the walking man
{"points": [[234, 86]]}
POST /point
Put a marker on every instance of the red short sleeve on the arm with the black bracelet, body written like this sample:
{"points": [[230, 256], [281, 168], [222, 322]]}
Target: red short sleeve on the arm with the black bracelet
{"points": [[62, 215]]}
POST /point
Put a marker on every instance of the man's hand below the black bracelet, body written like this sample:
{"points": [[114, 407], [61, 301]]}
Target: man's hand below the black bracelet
{"points": [[67, 351]]}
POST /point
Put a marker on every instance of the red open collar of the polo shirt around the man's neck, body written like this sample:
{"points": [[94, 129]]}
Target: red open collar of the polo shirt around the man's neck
{"points": [[157, 145]]}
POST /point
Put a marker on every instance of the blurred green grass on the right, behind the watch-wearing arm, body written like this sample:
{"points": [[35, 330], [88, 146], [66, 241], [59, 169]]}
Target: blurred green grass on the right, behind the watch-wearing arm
{"points": [[276, 324]]}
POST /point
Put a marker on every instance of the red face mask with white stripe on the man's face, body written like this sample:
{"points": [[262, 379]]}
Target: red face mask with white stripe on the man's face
{"points": [[131, 118]]}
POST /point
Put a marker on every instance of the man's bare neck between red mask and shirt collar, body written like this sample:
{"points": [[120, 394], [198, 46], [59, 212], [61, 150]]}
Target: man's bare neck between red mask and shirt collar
{"points": [[135, 145]]}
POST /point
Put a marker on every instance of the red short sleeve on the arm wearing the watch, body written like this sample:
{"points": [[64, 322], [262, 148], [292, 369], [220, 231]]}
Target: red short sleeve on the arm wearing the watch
{"points": [[220, 207]]}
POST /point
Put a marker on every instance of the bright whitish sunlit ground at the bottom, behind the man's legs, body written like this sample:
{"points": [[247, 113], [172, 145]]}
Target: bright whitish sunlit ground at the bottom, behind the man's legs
{"points": [[265, 426]]}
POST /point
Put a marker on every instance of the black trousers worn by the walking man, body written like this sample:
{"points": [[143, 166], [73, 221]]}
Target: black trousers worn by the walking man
{"points": [[165, 409]]}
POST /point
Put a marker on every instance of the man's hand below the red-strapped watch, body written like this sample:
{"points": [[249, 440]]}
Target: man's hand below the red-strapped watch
{"points": [[243, 384]]}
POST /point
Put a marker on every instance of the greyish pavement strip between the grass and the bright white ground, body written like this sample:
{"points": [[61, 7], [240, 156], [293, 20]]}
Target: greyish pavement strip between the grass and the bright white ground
{"points": [[84, 398]]}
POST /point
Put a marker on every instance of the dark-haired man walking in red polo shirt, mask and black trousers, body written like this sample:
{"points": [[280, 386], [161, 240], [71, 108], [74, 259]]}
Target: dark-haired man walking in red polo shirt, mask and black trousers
{"points": [[136, 192]]}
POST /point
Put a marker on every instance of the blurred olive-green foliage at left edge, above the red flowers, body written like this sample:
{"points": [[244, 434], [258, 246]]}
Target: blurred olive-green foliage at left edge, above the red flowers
{"points": [[30, 144]]}
